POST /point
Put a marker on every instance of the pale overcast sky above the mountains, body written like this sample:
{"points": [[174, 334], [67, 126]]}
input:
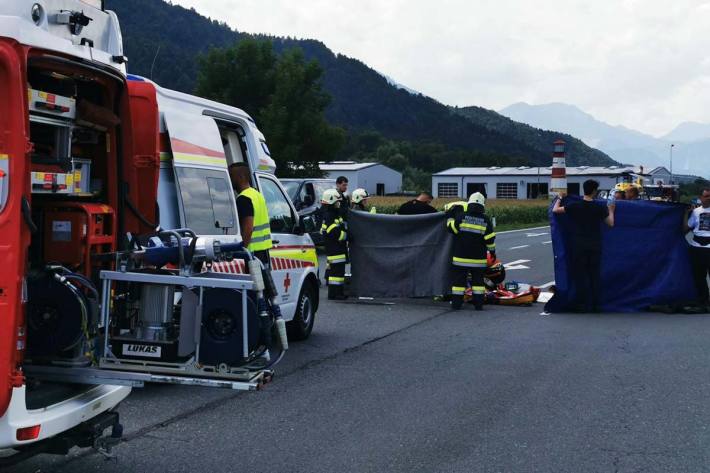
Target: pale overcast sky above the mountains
{"points": [[644, 64]]}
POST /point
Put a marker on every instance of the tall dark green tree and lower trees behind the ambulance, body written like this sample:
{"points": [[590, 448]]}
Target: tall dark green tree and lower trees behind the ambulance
{"points": [[285, 96]]}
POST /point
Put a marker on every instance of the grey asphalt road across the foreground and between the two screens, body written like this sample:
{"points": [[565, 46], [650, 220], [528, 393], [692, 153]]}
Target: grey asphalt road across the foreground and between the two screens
{"points": [[412, 387]]}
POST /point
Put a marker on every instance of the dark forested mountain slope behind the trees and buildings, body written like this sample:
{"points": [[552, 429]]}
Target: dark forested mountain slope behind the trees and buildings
{"points": [[163, 41]]}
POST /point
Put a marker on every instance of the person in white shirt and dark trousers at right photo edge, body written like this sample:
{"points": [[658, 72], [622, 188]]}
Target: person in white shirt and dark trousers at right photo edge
{"points": [[698, 222]]}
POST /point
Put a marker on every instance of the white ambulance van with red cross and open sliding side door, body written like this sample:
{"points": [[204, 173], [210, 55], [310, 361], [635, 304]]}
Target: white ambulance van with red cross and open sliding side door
{"points": [[199, 140]]}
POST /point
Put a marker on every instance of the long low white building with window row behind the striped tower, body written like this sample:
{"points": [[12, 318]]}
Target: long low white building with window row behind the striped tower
{"points": [[526, 182]]}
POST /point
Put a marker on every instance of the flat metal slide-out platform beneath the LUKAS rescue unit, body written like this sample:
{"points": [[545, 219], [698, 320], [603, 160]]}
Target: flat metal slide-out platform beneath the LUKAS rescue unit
{"points": [[89, 375]]}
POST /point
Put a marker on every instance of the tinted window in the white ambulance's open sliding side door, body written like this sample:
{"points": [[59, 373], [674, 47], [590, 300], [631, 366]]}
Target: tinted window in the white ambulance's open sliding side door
{"points": [[207, 201]]}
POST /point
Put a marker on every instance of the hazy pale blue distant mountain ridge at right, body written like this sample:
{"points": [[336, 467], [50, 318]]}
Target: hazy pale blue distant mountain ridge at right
{"points": [[691, 153]]}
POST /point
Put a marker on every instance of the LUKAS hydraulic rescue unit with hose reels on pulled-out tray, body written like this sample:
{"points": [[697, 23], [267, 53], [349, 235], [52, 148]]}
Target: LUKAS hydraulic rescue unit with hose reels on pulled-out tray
{"points": [[161, 316]]}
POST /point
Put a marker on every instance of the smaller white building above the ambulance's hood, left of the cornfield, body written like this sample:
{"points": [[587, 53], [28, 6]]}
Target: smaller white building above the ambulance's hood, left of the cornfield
{"points": [[376, 179]]}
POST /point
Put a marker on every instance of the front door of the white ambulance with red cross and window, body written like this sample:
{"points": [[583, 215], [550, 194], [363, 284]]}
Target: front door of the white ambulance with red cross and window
{"points": [[293, 253]]}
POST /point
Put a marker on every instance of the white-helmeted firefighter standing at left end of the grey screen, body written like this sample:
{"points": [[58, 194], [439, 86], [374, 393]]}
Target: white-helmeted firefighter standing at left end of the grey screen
{"points": [[336, 249]]}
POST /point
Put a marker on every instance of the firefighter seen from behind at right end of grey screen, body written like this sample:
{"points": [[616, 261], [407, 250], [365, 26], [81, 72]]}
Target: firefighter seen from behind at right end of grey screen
{"points": [[473, 239]]}
